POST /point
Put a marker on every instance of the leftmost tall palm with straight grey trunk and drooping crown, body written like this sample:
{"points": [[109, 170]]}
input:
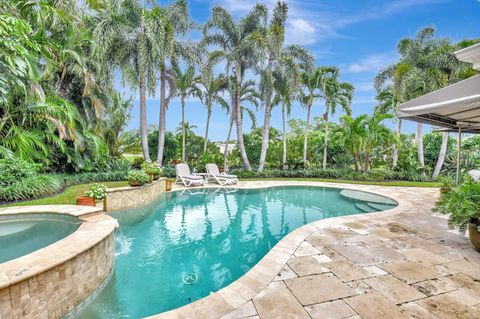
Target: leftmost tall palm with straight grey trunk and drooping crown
{"points": [[121, 41]]}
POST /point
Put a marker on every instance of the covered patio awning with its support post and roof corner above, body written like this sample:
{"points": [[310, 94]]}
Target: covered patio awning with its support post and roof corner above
{"points": [[455, 108]]}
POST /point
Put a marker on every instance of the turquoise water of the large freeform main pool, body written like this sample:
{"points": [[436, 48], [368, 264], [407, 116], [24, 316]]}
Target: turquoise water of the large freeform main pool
{"points": [[188, 244]]}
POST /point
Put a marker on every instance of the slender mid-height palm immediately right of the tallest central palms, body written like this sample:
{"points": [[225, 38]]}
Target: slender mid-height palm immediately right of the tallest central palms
{"points": [[286, 82]]}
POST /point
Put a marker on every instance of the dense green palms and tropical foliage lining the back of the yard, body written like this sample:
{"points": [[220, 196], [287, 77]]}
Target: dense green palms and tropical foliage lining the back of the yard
{"points": [[59, 110]]}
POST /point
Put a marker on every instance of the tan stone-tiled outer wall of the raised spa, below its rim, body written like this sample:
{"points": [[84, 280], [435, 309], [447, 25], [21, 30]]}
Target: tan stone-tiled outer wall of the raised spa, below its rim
{"points": [[55, 292]]}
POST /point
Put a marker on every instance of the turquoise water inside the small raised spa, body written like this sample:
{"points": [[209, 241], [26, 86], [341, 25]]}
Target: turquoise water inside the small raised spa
{"points": [[24, 233]]}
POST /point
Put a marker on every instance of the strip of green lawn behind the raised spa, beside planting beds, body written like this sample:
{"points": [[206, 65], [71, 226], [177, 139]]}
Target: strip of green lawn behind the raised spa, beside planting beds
{"points": [[68, 196]]}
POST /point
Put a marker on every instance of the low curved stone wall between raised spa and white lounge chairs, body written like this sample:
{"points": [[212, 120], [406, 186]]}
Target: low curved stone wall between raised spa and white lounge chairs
{"points": [[127, 197]]}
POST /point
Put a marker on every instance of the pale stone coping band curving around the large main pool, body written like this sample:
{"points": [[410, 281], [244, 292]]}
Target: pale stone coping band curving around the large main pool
{"points": [[245, 288]]}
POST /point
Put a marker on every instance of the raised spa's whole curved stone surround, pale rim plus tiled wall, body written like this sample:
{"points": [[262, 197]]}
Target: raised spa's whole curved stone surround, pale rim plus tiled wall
{"points": [[52, 280]]}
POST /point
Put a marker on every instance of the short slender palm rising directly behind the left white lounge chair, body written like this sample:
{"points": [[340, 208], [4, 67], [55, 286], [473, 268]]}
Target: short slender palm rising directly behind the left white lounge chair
{"points": [[187, 86]]}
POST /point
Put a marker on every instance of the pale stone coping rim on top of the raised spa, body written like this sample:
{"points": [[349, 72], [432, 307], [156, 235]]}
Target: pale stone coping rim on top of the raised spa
{"points": [[95, 227]]}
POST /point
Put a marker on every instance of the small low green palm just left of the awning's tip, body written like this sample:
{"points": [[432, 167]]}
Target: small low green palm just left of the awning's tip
{"points": [[376, 134]]}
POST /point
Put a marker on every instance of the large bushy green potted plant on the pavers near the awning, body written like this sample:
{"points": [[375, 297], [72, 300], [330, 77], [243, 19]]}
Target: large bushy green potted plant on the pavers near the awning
{"points": [[463, 205]]}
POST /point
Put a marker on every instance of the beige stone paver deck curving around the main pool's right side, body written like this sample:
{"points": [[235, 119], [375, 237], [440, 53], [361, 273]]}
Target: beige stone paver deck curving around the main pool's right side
{"points": [[401, 263]]}
